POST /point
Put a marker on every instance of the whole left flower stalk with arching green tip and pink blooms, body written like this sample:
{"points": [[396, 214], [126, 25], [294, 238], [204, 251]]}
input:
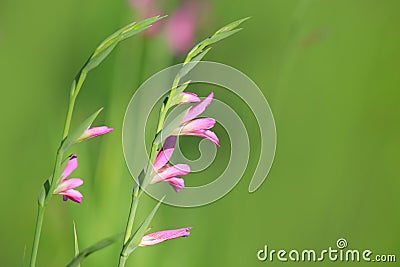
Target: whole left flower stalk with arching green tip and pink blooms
{"points": [[82, 132]]}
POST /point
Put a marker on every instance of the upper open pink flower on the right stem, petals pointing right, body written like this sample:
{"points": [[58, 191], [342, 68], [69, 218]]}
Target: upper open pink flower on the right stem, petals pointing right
{"points": [[198, 127]]}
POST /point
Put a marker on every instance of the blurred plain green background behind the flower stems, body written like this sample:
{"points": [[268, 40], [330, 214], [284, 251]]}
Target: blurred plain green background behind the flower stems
{"points": [[330, 71]]}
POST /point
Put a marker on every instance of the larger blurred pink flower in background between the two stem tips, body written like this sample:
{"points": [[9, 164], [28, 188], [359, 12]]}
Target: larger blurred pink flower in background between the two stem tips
{"points": [[181, 28]]}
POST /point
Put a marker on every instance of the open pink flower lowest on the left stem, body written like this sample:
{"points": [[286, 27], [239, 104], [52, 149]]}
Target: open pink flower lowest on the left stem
{"points": [[66, 186]]}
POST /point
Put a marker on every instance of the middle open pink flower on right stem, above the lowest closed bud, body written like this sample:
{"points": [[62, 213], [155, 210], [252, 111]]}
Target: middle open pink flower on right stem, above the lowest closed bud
{"points": [[163, 172]]}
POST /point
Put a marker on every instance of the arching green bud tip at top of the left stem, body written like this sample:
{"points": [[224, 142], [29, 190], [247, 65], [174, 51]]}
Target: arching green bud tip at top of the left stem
{"points": [[105, 48]]}
